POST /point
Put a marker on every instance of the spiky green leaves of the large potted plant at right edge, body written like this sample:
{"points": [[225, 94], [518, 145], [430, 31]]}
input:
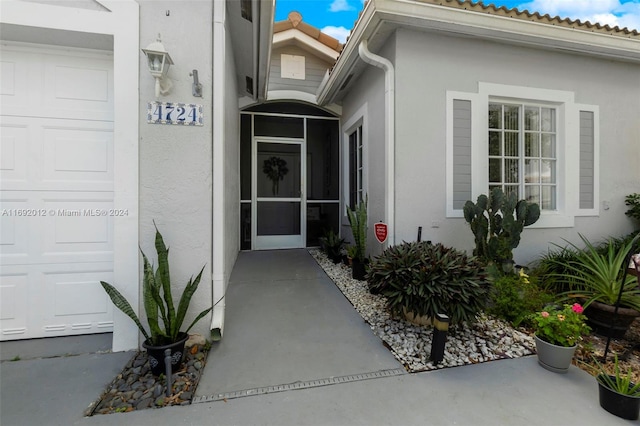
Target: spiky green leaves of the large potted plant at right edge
{"points": [[595, 275]]}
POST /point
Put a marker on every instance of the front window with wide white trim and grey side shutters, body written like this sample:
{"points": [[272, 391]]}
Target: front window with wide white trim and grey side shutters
{"points": [[538, 143]]}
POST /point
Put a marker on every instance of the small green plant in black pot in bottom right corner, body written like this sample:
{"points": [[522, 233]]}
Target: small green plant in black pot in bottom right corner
{"points": [[618, 394]]}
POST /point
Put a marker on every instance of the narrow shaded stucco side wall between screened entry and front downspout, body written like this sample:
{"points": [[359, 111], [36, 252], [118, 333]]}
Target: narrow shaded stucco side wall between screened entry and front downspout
{"points": [[367, 96]]}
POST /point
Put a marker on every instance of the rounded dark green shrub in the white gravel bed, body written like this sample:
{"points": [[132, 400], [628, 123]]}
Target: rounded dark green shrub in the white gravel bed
{"points": [[427, 279]]}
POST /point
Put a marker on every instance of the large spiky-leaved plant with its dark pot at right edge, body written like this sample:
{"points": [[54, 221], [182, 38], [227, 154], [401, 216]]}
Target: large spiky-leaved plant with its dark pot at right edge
{"points": [[594, 276]]}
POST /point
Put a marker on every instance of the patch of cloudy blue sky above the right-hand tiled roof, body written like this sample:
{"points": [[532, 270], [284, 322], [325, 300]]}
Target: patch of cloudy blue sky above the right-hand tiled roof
{"points": [[611, 12]]}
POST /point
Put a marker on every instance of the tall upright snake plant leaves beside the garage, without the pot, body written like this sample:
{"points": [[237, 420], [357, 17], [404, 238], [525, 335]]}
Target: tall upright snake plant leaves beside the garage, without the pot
{"points": [[158, 300]]}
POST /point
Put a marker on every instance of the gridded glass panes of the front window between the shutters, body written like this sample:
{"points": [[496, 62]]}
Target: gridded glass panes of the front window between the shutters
{"points": [[522, 151]]}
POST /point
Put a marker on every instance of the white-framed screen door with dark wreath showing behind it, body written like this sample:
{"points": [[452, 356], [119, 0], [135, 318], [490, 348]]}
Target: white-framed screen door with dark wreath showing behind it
{"points": [[278, 204]]}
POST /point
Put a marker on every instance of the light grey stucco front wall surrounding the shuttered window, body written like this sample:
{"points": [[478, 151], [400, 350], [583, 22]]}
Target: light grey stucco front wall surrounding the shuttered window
{"points": [[428, 65]]}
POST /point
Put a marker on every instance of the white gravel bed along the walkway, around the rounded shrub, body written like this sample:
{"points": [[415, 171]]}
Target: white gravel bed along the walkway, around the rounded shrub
{"points": [[486, 340]]}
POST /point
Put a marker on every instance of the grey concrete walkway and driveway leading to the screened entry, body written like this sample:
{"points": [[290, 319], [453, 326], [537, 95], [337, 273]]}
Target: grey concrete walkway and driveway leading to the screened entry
{"points": [[295, 353]]}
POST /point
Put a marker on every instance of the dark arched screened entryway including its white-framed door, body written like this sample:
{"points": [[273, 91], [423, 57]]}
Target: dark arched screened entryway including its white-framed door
{"points": [[289, 176]]}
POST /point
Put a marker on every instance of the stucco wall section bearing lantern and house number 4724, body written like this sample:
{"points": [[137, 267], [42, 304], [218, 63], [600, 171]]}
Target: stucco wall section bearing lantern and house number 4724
{"points": [[176, 161]]}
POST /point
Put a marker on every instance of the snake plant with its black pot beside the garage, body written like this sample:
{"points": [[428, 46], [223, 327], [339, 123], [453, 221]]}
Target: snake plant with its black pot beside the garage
{"points": [[158, 304]]}
